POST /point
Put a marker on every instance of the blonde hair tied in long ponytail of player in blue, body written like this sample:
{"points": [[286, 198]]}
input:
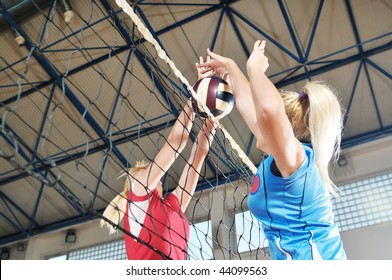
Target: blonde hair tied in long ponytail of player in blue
{"points": [[316, 117]]}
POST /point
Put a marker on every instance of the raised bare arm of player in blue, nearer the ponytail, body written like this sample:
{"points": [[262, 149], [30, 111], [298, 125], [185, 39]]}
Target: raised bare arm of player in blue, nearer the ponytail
{"points": [[272, 121]]}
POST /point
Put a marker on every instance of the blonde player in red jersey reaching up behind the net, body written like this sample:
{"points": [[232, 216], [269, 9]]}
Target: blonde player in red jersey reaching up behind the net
{"points": [[158, 226]]}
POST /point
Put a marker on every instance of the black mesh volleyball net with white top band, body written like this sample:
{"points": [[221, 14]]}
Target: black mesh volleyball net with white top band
{"points": [[97, 95]]}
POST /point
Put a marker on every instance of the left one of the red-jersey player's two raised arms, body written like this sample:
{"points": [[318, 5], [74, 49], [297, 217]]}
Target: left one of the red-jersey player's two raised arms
{"points": [[150, 177]]}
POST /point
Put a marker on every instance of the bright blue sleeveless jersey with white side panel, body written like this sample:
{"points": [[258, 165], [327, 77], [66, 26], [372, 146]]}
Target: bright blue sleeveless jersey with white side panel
{"points": [[296, 212]]}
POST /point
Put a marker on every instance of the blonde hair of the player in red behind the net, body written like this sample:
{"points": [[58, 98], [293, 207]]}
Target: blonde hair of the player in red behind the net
{"points": [[115, 211]]}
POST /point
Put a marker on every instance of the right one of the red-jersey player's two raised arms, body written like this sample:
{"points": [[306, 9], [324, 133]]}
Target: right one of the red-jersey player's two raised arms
{"points": [[190, 174]]}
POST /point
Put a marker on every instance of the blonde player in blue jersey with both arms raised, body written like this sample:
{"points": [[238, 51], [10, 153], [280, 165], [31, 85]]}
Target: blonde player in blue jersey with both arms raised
{"points": [[300, 133]]}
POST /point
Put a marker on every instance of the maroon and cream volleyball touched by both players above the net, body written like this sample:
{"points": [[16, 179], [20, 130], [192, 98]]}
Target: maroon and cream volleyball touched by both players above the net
{"points": [[216, 94]]}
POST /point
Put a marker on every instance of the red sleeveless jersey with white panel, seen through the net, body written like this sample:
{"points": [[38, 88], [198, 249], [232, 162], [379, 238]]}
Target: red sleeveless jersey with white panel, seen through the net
{"points": [[159, 223]]}
